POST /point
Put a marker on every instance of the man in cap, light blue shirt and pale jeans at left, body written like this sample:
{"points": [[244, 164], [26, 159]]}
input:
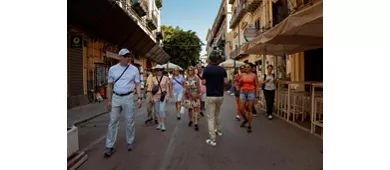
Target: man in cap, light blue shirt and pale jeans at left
{"points": [[122, 78]]}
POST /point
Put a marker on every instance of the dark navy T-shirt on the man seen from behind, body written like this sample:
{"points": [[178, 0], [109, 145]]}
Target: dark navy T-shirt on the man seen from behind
{"points": [[214, 76]]}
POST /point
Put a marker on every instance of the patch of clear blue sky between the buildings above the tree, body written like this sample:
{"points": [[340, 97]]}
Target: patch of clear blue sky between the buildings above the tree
{"points": [[195, 15]]}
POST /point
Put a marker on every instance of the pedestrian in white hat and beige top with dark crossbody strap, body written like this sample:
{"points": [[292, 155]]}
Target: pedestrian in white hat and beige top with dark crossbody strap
{"points": [[161, 94]]}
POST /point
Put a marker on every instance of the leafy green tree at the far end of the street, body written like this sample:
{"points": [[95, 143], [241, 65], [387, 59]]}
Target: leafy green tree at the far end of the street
{"points": [[184, 47]]}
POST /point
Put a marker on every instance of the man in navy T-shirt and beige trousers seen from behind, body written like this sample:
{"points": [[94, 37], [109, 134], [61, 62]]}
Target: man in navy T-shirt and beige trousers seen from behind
{"points": [[214, 77]]}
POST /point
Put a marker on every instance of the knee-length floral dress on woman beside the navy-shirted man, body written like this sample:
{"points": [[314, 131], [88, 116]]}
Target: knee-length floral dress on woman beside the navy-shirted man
{"points": [[190, 101]]}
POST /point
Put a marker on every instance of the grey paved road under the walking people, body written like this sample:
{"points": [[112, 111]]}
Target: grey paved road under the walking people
{"points": [[273, 145]]}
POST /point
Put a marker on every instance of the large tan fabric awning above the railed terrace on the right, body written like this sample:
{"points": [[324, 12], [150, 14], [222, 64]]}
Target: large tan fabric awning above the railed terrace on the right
{"points": [[298, 32]]}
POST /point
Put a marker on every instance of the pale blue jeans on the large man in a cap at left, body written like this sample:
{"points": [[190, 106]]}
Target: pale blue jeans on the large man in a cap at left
{"points": [[125, 104]]}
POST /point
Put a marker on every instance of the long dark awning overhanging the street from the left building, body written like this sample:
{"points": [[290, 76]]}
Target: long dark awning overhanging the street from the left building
{"points": [[106, 20]]}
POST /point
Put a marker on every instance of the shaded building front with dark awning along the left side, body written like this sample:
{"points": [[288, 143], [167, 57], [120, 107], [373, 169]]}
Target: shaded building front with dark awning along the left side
{"points": [[94, 40]]}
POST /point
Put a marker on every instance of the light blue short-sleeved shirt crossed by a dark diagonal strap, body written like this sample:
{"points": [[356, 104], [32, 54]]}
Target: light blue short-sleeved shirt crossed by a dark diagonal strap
{"points": [[127, 82]]}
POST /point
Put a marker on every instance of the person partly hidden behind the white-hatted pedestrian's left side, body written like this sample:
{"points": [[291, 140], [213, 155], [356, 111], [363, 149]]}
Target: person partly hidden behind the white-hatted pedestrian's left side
{"points": [[149, 98]]}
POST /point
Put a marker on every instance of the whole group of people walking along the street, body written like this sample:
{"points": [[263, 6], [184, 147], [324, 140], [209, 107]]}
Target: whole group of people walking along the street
{"points": [[199, 91]]}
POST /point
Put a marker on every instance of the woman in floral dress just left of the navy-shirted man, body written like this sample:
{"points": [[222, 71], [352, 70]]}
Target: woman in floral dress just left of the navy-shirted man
{"points": [[192, 97]]}
